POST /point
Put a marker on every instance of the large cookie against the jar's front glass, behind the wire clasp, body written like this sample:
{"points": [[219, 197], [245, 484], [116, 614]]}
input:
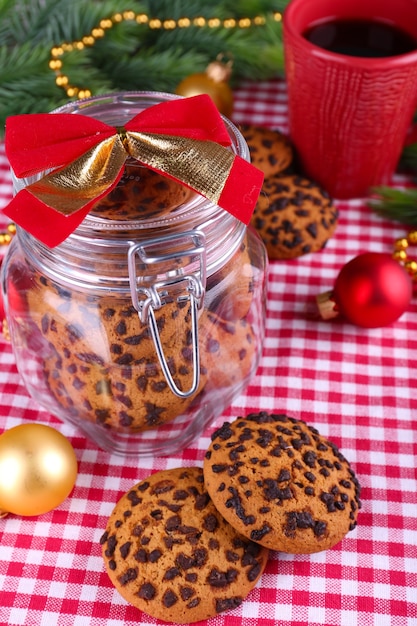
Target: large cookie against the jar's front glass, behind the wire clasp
{"points": [[100, 362]]}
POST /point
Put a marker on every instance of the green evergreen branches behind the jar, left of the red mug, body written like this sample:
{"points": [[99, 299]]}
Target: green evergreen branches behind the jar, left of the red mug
{"points": [[130, 56]]}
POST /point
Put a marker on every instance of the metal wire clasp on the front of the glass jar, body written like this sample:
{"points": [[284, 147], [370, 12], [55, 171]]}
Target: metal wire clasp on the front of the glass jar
{"points": [[162, 268]]}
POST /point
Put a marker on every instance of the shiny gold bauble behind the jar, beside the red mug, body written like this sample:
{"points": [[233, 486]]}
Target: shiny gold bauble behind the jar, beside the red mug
{"points": [[213, 82]]}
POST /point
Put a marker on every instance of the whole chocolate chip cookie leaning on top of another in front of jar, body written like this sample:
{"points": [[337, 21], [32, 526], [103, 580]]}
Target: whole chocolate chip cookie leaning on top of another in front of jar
{"points": [[280, 483]]}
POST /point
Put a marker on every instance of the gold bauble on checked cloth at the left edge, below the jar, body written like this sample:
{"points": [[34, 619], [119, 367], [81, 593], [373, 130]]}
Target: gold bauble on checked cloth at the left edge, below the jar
{"points": [[38, 469]]}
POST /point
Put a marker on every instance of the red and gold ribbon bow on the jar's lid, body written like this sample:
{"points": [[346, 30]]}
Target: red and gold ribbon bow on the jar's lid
{"points": [[36, 143]]}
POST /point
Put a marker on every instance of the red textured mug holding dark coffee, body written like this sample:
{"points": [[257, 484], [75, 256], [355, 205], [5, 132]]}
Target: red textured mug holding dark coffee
{"points": [[349, 115]]}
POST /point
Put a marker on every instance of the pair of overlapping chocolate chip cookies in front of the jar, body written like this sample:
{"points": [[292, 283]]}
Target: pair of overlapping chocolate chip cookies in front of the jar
{"points": [[186, 544]]}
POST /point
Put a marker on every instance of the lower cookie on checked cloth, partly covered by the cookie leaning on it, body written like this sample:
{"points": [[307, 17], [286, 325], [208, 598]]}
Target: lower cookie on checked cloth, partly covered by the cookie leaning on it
{"points": [[170, 553]]}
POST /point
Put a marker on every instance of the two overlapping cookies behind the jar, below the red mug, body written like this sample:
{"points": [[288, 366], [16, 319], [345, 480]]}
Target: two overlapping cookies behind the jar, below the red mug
{"points": [[294, 216]]}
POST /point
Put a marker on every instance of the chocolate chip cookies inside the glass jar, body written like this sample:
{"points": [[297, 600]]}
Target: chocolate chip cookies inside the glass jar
{"points": [[99, 360]]}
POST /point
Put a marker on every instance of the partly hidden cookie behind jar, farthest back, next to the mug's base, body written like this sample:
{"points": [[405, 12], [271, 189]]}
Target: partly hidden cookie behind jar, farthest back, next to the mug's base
{"points": [[271, 151]]}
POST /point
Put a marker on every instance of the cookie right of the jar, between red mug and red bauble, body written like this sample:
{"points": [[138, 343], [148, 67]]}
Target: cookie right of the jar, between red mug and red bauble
{"points": [[294, 216]]}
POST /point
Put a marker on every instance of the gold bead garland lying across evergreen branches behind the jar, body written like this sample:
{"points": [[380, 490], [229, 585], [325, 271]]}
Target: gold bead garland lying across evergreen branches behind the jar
{"points": [[99, 31]]}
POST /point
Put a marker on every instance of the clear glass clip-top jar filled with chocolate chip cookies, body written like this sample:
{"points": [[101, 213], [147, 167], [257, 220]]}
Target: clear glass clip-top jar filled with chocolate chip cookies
{"points": [[147, 321]]}
